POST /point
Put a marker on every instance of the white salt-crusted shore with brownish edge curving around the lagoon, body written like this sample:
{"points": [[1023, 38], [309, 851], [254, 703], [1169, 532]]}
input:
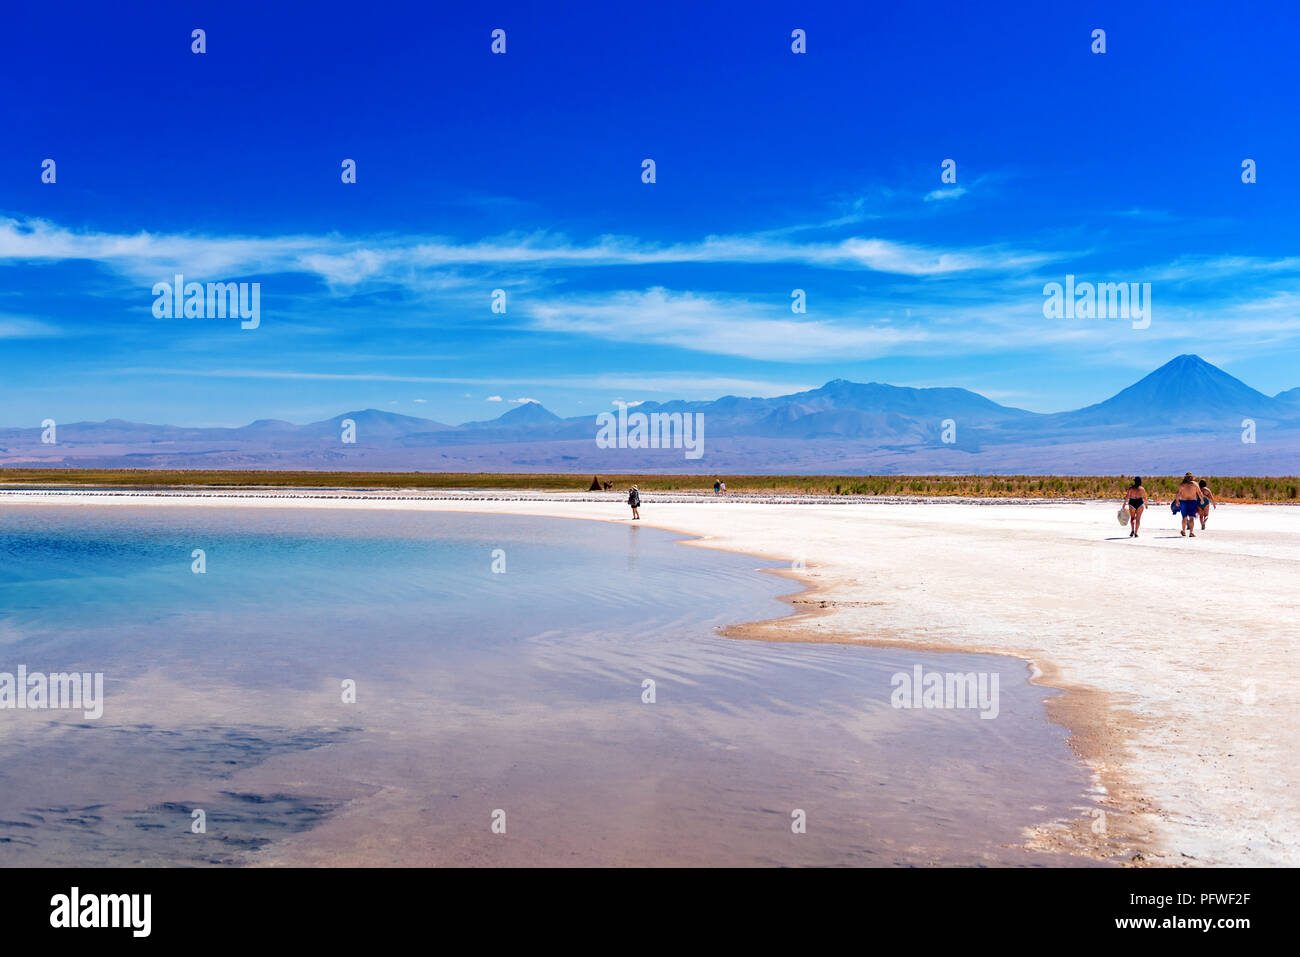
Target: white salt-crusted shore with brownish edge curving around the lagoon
{"points": [[1175, 653]]}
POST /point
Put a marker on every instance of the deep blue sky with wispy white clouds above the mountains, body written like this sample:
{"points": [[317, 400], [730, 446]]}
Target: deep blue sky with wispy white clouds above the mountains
{"points": [[523, 172]]}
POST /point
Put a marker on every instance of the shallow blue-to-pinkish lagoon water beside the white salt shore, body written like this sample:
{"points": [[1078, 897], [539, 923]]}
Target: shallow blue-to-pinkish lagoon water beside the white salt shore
{"points": [[513, 696]]}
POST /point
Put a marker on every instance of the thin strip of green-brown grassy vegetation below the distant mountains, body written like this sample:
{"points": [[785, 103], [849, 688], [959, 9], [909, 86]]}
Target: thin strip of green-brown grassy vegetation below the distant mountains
{"points": [[1016, 487]]}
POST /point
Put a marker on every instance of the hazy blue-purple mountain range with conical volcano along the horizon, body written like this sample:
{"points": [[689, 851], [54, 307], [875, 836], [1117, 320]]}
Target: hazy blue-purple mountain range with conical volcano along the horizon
{"points": [[1185, 415]]}
